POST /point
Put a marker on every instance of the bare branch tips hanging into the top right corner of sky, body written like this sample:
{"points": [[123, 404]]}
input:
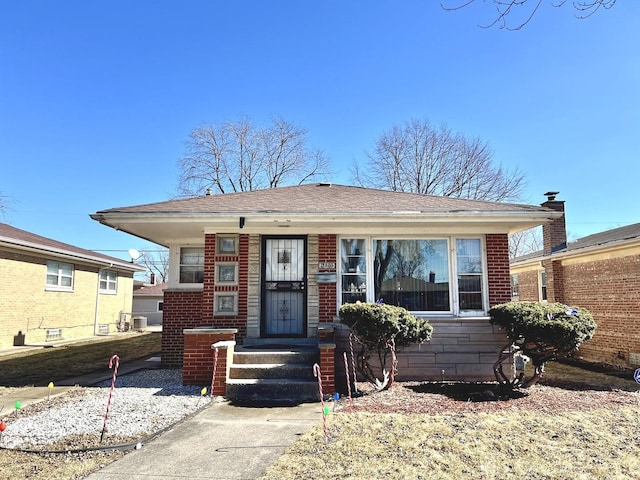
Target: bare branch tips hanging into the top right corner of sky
{"points": [[506, 9]]}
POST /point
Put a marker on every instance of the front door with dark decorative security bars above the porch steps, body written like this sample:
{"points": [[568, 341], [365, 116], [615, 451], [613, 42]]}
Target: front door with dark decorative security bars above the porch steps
{"points": [[284, 296]]}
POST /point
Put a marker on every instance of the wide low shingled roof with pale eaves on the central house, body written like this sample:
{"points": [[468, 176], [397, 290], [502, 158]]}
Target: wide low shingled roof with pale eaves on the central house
{"points": [[319, 208]]}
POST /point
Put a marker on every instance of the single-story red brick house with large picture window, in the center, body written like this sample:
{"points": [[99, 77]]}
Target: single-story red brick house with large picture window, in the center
{"points": [[278, 263]]}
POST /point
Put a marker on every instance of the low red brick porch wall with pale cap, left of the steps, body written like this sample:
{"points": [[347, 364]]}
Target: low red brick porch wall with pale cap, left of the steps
{"points": [[198, 357]]}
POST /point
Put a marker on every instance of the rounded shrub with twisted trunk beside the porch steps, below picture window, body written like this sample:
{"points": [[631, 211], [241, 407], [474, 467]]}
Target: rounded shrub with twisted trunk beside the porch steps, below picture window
{"points": [[380, 329]]}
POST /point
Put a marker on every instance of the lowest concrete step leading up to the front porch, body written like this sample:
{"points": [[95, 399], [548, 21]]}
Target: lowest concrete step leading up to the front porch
{"points": [[272, 391]]}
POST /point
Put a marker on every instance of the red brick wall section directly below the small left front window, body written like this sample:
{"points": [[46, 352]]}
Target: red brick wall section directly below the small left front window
{"points": [[182, 309]]}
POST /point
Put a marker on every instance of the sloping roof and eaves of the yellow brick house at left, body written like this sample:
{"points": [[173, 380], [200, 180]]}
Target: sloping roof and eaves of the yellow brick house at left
{"points": [[23, 240]]}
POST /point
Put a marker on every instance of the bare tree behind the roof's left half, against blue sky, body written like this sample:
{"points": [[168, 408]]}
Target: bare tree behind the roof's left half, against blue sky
{"points": [[238, 156]]}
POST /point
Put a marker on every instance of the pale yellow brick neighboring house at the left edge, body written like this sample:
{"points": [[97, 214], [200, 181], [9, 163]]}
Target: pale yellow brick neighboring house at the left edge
{"points": [[51, 291]]}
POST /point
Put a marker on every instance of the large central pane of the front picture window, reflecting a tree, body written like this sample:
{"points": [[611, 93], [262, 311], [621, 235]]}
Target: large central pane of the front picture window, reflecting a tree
{"points": [[413, 274]]}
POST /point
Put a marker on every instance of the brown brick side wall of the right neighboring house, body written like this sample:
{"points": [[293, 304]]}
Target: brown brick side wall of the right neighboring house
{"points": [[610, 289]]}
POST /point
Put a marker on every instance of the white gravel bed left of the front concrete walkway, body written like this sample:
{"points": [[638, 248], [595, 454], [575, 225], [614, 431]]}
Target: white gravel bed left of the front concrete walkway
{"points": [[142, 403]]}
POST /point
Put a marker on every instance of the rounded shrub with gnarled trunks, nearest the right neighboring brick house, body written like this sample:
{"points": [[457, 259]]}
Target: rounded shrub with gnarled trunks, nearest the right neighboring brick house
{"points": [[542, 331]]}
